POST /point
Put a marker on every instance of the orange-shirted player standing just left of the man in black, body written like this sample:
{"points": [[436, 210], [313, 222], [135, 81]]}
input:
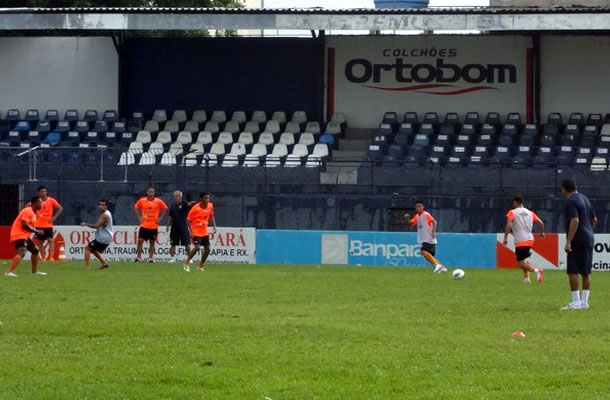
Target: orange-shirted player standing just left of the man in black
{"points": [[148, 209]]}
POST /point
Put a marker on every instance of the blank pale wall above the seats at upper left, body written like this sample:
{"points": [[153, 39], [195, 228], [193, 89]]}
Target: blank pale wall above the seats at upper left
{"points": [[58, 73]]}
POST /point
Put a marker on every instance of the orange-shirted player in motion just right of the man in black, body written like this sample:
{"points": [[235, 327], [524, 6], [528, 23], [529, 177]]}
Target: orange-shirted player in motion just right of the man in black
{"points": [[198, 219]]}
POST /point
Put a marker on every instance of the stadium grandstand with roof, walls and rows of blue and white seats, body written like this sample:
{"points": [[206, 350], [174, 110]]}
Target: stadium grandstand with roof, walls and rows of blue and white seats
{"points": [[324, 132]]}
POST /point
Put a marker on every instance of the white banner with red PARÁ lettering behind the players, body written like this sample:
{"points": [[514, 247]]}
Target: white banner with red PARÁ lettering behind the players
{"points": [[228, 245]]}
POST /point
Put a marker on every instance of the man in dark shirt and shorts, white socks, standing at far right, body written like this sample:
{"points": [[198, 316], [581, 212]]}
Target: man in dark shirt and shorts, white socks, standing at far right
{"points": [[580, 221]]}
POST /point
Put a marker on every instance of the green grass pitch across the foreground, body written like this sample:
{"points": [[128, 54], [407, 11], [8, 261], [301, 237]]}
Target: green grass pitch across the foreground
{"points": [[140, 331]]}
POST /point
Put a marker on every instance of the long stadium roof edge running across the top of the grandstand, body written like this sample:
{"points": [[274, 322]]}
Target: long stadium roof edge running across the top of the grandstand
{"points": [[456, 19]]}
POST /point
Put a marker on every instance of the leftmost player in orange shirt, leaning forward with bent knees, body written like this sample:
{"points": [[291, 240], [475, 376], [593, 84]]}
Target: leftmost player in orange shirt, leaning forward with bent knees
{"points": [[21, 233]]}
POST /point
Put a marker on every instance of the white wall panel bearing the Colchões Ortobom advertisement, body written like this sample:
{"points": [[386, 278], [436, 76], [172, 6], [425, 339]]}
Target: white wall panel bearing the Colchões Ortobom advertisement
{"points": [[374, 74]]}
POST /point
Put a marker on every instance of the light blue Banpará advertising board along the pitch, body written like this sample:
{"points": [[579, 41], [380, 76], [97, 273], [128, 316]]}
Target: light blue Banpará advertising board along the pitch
{"points": [[372, 248]]}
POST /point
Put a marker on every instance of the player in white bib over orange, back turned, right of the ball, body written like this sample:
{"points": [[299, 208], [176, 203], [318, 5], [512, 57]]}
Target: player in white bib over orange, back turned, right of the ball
{"points": [[520, 222]]}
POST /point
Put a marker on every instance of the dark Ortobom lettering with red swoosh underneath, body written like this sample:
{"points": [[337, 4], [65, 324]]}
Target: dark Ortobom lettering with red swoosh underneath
{"points": [[436, 78]]}
